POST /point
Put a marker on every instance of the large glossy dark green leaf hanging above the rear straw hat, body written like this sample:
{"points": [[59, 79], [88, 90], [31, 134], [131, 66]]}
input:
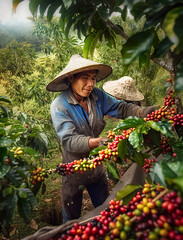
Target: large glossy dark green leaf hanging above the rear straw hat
{"points": [[135, 47]]}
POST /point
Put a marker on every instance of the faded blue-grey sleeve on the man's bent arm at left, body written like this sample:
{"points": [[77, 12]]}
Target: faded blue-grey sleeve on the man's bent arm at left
{"points": [[67, 132]]}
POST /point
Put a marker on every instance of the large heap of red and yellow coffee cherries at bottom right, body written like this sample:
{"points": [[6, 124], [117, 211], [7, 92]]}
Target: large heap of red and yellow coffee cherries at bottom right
{"points": [[152, 214]]}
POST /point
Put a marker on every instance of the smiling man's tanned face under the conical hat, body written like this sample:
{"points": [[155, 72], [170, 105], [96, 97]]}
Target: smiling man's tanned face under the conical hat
{"points": [[83, 83]]}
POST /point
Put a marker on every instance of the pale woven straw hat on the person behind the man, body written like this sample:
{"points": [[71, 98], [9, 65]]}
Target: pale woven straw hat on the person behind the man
{"points": [[124, 89]]}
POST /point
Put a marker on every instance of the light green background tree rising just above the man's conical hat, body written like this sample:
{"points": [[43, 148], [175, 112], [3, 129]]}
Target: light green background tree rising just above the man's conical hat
{"points": [[55, 42]]}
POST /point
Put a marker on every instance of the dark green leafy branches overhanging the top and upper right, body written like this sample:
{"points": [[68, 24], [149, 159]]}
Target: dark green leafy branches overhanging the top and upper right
{"points": [[92, 19]]}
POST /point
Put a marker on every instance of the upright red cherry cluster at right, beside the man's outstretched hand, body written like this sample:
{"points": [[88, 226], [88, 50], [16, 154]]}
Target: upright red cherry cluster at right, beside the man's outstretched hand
{"points": [[166, 112]]}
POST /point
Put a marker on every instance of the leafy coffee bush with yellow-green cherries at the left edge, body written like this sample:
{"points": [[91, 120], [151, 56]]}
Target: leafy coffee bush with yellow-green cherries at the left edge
{"points": [[22, 143]]}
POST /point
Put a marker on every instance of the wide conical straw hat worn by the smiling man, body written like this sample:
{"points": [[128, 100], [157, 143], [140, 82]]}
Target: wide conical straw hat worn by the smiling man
{"points": [[77, 64]]}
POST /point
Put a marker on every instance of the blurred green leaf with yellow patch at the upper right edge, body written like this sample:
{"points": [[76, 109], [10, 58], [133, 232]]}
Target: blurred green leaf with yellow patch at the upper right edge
{"points": [[172, 28]]}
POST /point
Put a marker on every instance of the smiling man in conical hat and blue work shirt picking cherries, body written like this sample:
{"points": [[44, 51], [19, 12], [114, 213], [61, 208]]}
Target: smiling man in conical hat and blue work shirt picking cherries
{"points": [[77, 114]]}
